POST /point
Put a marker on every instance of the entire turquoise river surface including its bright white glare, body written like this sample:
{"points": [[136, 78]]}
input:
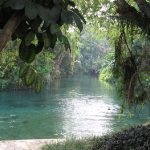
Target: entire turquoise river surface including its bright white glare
{"points": [[73, 107]]}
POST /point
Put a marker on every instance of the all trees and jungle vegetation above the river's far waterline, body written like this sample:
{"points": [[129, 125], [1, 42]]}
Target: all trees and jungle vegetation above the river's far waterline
{"points": [[40, 41]]}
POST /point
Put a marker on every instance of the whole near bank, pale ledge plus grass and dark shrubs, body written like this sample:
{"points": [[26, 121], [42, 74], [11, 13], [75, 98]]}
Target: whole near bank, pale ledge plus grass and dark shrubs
{"points": [[135, 138]]}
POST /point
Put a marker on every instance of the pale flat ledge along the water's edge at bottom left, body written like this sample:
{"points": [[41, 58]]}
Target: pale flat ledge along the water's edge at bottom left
{"points": [[35, 144]]}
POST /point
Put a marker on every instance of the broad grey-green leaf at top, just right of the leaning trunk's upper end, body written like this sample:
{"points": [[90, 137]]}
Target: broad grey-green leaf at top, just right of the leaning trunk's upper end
{"points": [[31, 10]]}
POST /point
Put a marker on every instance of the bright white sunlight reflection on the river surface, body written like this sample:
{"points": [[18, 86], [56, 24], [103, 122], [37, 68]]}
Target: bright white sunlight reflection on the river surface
{"points": [[89, 115]]}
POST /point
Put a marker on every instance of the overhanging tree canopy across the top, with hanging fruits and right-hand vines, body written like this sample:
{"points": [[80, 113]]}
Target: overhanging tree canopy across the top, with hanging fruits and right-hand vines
{"points": [[41, 24]]}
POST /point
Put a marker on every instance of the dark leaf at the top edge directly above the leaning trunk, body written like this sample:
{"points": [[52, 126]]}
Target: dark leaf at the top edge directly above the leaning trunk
{"points": [[16, 4]]}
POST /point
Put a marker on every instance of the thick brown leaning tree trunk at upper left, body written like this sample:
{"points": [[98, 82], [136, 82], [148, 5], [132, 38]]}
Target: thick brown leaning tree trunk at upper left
{"points": [[9, 28]]}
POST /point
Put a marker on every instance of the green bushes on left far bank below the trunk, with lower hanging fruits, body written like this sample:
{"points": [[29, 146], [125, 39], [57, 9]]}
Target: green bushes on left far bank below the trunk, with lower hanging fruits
{"points": [[32, 75]]}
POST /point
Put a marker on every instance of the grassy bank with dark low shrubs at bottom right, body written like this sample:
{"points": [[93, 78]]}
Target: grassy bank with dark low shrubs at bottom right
{"points": [[135, 138]]}
